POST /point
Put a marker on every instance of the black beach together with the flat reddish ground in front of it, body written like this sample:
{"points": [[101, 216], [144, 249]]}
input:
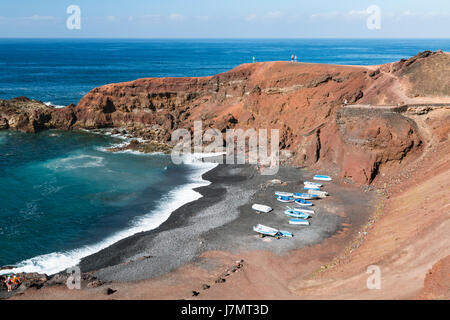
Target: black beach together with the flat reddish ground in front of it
{"points": [[198, 242]]}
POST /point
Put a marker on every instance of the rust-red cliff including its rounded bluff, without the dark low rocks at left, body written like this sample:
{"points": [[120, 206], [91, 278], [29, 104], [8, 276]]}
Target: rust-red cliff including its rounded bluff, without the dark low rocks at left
{"points": [[301, 100]]}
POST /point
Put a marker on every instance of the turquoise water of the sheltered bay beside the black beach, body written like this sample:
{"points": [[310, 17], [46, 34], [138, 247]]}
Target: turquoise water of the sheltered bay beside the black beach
{"points": [[63, 193]]}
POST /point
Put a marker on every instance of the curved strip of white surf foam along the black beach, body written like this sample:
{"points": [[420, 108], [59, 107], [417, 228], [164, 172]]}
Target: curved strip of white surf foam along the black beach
{"points": [[58, 261]]}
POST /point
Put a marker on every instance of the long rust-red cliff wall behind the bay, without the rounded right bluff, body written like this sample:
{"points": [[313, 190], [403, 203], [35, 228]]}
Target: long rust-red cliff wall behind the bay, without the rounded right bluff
{"points": [[286, 96]]}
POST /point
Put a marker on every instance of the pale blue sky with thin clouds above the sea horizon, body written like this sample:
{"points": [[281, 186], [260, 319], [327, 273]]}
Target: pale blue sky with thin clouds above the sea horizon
{"points": [[226, 19]]}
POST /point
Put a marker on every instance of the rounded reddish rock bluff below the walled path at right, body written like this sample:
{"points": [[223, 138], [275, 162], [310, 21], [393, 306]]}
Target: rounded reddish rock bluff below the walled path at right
{"points": [[371, 139]]}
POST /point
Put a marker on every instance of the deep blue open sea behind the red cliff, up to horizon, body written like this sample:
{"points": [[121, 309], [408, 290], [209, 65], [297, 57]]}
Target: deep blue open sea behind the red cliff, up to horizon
{"points": [[62, 71]]}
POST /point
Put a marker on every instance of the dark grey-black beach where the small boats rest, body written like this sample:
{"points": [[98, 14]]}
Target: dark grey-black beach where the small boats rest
{"points": [[223, 219]]}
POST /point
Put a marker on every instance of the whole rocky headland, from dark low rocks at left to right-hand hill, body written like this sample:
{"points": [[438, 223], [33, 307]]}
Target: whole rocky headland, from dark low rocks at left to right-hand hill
{"points": [[304, 101]]}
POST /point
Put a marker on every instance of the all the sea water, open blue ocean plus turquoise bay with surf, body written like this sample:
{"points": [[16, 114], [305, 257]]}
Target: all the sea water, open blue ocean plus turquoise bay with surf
{"points": [[62, 195]]}
